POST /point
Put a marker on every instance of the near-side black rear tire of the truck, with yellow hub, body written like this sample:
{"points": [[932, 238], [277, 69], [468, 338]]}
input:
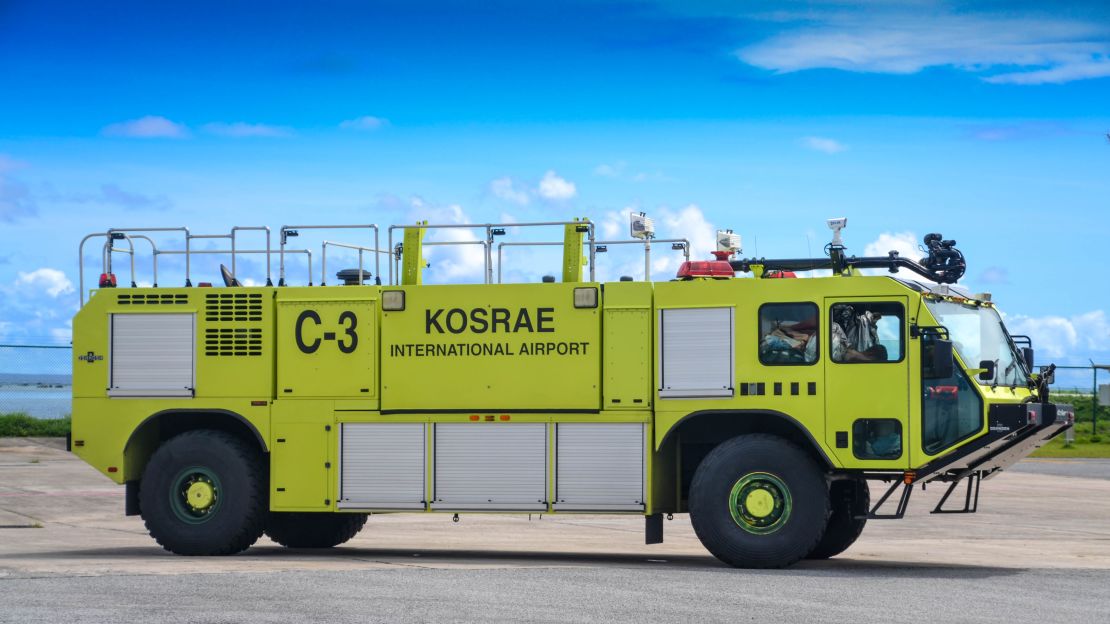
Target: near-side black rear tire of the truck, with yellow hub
{"points": [[237, 494]]}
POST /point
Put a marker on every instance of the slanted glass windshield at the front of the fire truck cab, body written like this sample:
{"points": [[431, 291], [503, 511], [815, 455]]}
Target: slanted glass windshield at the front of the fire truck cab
{"points": [[978, 335]]}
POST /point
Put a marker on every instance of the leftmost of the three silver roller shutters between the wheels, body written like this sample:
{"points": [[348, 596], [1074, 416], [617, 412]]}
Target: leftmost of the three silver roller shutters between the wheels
{"points": [[382, 466]]}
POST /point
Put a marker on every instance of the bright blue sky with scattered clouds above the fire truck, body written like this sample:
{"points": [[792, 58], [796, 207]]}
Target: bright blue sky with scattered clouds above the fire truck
{"points": [[986, 122]]}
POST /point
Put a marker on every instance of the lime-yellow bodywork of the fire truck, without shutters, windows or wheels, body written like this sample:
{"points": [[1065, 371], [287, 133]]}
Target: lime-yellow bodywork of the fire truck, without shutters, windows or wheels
{"points": [[295, 364]]}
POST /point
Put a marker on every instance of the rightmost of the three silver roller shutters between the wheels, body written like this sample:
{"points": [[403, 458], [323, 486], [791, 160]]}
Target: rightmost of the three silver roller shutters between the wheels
{"points": [[600, 467]]}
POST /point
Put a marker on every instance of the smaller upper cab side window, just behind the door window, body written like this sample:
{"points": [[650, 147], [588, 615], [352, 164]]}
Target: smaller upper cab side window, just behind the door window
{"points": [[789, 334]]}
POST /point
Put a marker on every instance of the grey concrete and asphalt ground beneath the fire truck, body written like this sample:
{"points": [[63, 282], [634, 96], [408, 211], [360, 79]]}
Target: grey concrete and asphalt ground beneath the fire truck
{"points": [[1038, 551]]}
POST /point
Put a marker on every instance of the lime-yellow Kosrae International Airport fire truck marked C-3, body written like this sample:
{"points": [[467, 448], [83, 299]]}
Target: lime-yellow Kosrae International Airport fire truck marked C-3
{"points": [[761, 405]]}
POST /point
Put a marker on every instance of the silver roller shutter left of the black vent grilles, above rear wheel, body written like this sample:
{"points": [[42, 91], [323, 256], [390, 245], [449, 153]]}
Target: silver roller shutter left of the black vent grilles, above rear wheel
{"points": [[153, 356]]}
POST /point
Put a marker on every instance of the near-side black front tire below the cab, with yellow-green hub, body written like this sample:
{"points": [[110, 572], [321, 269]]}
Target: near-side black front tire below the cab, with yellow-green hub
{"points": [[741, 467]]}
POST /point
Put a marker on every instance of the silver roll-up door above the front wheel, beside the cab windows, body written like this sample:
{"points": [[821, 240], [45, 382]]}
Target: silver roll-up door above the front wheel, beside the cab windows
{"points": [[697, 353]]}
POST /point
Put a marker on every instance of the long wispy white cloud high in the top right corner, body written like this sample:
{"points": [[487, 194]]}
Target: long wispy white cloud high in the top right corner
{"points": [[1011, 48]]}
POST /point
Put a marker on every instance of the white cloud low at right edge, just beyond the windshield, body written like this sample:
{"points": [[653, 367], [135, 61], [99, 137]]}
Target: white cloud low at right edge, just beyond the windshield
{"points": [[1059, 337]]}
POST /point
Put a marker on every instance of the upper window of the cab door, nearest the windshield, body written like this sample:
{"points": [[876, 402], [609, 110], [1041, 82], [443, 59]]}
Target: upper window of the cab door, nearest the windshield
{"points": [[867, 333]]}
